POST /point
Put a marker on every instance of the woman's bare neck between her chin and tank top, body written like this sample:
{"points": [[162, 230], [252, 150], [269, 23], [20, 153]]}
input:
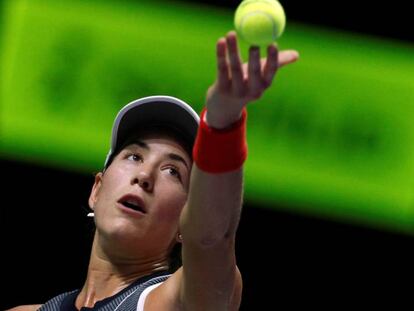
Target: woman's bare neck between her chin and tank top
{"points": [[107, 276]]}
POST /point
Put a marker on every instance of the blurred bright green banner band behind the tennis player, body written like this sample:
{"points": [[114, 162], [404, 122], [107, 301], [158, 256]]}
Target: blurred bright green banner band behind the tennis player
{"points": [[333, 136]]}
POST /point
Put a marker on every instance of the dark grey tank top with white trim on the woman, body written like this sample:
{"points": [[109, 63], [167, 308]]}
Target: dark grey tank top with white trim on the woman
{"points": [[125, 300]]}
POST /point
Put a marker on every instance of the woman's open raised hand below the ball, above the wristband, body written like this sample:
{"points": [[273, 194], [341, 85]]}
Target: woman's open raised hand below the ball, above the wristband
{"points": [[238, 84]]}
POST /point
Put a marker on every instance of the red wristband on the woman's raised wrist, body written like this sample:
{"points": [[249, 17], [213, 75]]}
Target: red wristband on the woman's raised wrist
{"points": [[220, 151]]}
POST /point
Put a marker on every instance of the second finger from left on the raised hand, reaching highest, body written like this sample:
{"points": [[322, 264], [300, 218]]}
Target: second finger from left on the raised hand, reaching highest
{"points": [[235, 63]]}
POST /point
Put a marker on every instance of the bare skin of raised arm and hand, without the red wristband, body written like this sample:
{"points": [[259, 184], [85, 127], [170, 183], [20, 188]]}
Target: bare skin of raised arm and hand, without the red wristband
{"points": [[211, 280]]}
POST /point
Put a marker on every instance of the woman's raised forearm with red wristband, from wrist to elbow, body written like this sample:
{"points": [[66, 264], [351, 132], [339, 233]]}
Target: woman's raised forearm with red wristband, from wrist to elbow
{"points": [[216, 188]]}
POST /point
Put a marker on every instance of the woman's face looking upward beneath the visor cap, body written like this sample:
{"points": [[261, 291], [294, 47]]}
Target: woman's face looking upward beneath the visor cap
{"points": [[138, 200]]}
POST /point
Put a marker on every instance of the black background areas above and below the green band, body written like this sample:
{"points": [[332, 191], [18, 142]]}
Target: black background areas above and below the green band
{"points": [[287, 260]]}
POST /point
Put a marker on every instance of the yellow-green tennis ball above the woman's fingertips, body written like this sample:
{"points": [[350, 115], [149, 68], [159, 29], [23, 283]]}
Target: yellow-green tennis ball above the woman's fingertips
{"points": [[260, 22]]}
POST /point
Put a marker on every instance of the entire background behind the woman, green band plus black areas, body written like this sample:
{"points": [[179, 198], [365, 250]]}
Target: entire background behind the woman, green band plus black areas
{"points": [[330, 172]]}
